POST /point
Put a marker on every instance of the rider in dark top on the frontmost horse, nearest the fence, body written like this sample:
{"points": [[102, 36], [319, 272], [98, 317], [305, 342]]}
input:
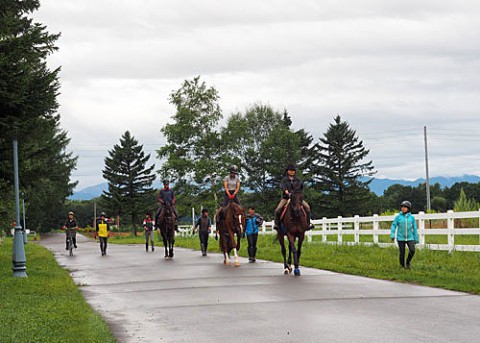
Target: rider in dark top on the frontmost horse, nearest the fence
{"points": [[291, 183]]}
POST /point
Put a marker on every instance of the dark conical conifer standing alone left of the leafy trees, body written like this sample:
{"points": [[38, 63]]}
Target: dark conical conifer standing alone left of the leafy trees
{"points": [[129, 180]]}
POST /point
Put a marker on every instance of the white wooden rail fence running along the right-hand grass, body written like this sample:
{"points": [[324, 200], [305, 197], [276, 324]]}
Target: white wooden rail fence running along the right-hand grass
{"points": [[333, 230]]}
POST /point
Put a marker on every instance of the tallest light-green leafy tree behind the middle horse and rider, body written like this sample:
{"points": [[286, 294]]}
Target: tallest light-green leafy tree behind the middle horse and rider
{"points": [[193, 148]]}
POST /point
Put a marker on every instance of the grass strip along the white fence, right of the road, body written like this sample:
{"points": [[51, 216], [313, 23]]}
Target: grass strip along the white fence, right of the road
{"points": [[456, 271]]}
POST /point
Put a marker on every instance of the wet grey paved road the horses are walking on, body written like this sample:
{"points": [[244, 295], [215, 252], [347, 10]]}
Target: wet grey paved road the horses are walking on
{"points": [[191, 298]]}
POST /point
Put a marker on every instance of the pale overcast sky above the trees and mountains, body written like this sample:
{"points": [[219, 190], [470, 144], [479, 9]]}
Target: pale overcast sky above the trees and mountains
{"points": [[389, 68]]}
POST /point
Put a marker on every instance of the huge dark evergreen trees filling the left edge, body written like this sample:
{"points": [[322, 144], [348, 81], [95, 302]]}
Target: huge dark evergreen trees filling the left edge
{"points": [[28, 105]]}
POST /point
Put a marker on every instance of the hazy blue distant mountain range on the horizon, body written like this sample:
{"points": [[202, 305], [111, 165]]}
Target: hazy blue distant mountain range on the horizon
{"points": [[378, 186]]}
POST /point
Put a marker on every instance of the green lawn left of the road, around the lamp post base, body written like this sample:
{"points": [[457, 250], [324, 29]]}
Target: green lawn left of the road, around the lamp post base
{"points": [[46, 306]]}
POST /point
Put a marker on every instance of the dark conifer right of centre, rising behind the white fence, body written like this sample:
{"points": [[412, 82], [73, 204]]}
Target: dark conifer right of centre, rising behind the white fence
{"points": [[340, 173]]}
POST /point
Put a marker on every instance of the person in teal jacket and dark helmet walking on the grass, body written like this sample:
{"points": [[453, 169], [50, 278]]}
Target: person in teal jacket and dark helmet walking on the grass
{"points": [[407, 234]]}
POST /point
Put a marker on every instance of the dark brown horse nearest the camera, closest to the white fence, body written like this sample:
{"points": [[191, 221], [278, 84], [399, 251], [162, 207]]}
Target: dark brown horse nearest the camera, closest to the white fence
{"points": [[293, 226]]}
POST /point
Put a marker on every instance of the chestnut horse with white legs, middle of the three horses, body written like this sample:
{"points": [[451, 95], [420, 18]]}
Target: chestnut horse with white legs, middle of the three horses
{"points": [[232, 224]]}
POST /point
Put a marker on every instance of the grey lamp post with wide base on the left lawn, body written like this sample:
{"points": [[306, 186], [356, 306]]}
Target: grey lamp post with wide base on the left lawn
{"points": [[18, 257]]}
